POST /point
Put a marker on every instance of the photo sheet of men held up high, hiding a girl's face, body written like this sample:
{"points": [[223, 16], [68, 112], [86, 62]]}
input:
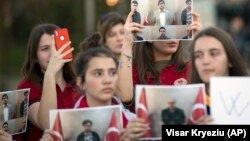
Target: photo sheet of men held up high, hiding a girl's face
{"points": [[163, 19]]}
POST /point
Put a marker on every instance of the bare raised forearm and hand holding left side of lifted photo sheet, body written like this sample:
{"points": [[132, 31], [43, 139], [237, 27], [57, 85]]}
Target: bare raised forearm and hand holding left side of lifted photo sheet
{"points": [[125, 81]]}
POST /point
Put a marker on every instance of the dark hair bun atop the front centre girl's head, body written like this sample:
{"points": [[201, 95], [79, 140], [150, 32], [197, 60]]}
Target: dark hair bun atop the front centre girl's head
{"points": [[93, 40]]}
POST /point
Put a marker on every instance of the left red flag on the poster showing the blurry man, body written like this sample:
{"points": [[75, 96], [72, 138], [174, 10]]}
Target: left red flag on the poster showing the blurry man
{"points": [[142, 111]]}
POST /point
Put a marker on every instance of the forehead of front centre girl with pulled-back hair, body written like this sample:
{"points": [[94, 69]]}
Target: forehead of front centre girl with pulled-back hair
{"points": [[101, 63]]}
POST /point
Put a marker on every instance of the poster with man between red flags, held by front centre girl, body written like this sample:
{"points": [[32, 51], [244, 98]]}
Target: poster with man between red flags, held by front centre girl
{"points": [[102, 122]]}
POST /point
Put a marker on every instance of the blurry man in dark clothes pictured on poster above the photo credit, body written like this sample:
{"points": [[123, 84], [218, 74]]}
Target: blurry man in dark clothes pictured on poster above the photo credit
{"points": [[172, 114]]}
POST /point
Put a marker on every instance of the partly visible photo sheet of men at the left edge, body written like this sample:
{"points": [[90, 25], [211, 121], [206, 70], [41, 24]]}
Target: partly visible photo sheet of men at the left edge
{"points": [[14, 110]]}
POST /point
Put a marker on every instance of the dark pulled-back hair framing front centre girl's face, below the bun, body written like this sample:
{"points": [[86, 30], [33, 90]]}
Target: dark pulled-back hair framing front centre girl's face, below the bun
{"points": [[83, 59]]}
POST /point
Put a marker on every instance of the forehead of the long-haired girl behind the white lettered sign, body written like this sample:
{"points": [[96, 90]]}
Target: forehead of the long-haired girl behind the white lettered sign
{"points": [[207, 43]]}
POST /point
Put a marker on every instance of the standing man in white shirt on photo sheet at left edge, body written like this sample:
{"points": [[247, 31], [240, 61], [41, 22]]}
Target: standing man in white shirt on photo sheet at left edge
{"points": [[6, 112]]}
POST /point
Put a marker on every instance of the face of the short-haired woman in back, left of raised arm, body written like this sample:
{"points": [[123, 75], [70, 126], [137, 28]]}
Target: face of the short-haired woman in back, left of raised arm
{"points": [[114, 38]]}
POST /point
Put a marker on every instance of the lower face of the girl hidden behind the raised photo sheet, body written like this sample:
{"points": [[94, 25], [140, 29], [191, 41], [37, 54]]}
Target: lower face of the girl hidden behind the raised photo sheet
{"points": [[163, 50]]}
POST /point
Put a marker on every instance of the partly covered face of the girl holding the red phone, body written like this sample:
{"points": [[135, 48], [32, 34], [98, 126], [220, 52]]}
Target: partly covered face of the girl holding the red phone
{"points": [[43, 51]]}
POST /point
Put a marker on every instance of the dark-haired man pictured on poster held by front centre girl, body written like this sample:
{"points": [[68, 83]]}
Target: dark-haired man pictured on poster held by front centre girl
{"points": [[88, 134]]}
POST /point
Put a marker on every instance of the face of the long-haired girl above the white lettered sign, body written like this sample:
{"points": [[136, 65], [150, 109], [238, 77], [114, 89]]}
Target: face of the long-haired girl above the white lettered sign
{"points": [[210, 58]]}
